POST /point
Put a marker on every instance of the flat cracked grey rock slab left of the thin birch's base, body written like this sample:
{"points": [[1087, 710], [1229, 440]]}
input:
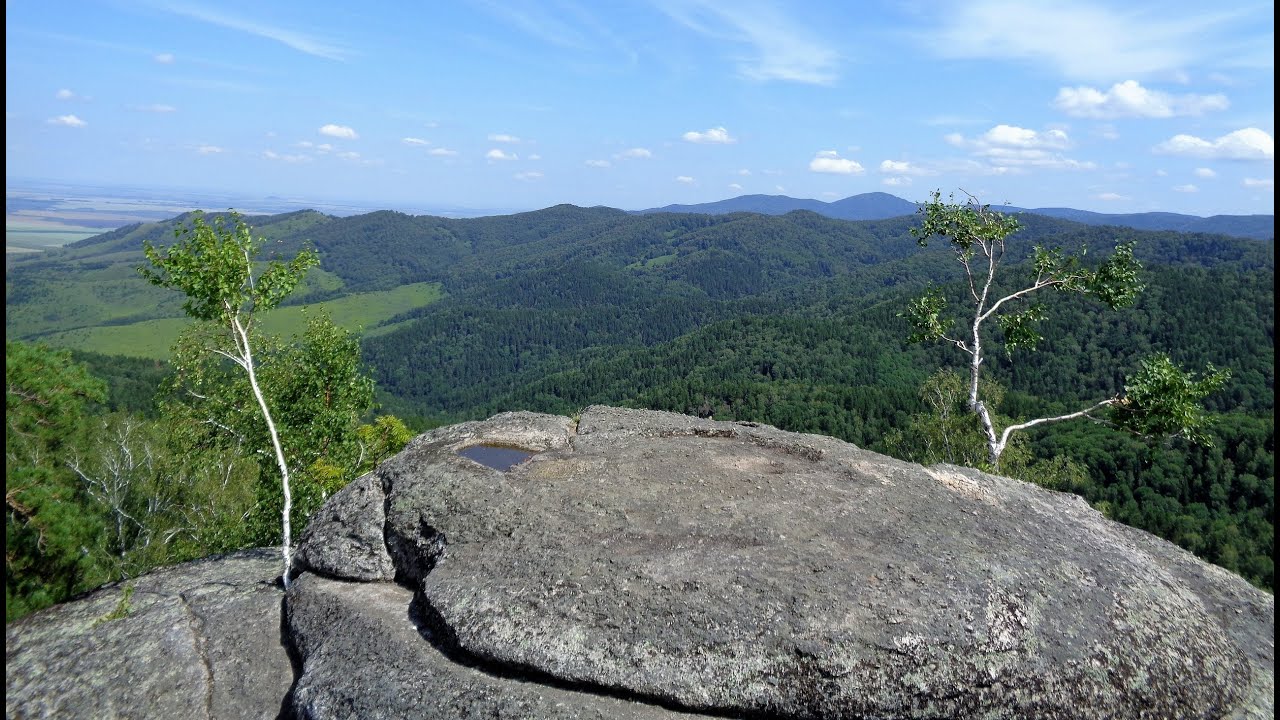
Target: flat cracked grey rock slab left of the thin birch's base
{"points": [[200, 640]]}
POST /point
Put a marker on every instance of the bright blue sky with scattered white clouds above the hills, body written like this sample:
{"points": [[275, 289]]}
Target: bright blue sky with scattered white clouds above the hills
{"points": [[1109, 107]]}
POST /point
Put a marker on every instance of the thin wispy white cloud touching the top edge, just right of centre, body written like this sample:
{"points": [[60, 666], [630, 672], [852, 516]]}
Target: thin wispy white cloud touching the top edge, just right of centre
{"points": [[776, 47]]}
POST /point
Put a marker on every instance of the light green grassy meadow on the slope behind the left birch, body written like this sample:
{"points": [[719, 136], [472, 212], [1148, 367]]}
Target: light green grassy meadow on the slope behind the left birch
{"points": [[153, 339]]}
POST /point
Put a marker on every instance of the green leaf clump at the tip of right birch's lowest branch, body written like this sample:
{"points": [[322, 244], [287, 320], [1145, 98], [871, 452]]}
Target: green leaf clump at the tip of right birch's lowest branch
{"points": [[1164, 402]]}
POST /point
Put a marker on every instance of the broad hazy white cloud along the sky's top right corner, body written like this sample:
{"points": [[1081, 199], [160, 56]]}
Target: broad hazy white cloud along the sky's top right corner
{"points": [[1087, 40]]}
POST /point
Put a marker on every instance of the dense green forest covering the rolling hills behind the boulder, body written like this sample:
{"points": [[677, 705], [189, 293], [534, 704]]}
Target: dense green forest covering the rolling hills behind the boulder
{"points": [[794, 321]]}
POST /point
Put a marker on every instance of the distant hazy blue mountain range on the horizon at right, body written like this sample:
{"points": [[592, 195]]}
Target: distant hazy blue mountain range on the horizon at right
{"points": [[881, 206]]}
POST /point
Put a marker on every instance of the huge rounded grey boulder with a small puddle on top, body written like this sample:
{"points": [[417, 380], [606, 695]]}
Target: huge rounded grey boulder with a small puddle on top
{"points": [[653, 566]]}
